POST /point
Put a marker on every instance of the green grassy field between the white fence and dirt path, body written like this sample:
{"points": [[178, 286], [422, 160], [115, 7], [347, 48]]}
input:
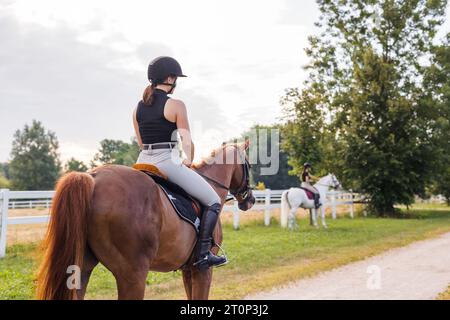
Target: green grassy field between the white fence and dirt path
{"points": [[261, 257]]}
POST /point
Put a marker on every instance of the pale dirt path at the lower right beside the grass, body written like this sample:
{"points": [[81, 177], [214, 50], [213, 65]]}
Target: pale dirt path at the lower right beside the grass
{"points": [[418, 271]]}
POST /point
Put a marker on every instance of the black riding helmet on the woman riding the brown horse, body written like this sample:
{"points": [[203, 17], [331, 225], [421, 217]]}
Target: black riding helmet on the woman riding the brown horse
{"points": [[161, 68]]}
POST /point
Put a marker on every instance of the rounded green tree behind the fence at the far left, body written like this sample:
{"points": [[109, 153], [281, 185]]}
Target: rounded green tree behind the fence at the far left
{"points": [[35, 163]]}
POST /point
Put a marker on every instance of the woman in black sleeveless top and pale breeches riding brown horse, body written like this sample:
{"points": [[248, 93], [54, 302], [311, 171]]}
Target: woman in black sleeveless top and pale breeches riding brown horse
{"points": [[157, 119]]}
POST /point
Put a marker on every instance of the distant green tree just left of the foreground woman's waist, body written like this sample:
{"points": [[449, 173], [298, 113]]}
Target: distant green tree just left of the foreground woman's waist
{"points": [[117, 152]]}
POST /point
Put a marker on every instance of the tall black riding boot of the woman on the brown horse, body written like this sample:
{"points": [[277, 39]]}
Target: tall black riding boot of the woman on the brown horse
{"points": [[205, 258]]}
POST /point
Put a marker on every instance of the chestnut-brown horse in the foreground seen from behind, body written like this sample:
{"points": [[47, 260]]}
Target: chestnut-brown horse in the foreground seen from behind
{"points": [[119, 217]]}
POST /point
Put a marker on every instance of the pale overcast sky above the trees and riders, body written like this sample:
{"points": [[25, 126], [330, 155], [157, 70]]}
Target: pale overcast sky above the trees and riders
{"points": [[80, 66]]}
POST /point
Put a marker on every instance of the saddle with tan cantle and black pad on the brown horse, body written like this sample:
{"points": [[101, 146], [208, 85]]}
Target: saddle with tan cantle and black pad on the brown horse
{"points": [[188, 208]]}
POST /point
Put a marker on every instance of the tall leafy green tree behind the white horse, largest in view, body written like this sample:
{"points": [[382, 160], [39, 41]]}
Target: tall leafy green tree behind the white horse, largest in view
{"points": [[366, 76]]}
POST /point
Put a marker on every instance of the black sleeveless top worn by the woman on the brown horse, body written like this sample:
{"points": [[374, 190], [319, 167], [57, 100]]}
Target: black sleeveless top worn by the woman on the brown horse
{"points": [[153, 126]]}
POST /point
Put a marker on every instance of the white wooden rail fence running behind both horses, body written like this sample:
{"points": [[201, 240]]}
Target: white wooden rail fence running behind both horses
{"points": [[265, 200]]}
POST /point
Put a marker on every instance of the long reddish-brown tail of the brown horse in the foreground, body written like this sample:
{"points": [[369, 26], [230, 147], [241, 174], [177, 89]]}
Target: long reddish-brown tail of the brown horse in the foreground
{"points": [[66, 237]]}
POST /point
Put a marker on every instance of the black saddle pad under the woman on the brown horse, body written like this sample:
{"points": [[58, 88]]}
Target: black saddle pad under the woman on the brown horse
{"points": [[184, 205]]}
